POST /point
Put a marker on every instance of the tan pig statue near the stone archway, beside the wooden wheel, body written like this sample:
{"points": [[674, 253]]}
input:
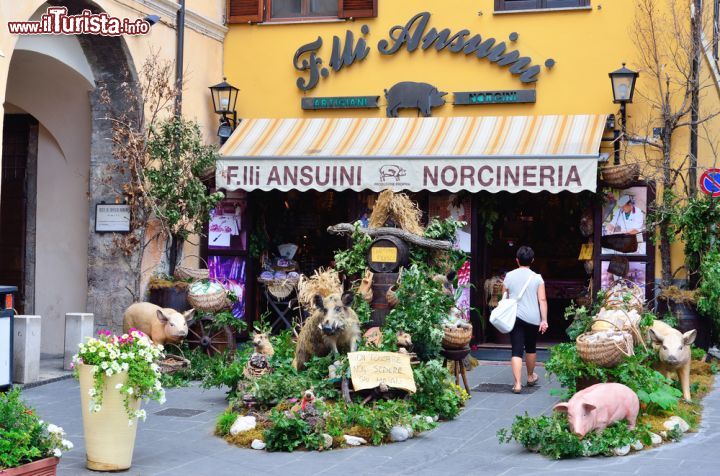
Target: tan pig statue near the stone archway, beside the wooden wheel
{"points": [[161, 325]]}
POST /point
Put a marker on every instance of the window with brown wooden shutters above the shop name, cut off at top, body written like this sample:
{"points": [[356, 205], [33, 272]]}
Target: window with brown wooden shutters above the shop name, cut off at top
{"points": [[256, 11]]}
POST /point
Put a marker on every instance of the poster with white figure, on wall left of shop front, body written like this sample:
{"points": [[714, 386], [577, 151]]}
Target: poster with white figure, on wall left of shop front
{"points": [[227, 219]]}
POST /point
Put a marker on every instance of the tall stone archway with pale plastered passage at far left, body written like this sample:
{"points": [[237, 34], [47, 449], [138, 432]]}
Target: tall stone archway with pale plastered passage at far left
{"points": [[54, 108]]}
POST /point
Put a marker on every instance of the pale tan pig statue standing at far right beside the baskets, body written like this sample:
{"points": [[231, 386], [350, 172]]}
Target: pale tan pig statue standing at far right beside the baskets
{"points": [[674, 351]]}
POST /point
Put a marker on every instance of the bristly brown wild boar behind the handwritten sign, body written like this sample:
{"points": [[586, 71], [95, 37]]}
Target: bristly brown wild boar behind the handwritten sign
{"points": [[331, 326]]}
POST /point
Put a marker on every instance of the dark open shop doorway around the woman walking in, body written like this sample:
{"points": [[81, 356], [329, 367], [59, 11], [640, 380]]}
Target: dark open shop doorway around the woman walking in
{"points": [[550, 224]]}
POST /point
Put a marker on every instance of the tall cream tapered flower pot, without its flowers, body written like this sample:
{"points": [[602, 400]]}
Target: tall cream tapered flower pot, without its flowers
{"points": [[109, 440]]}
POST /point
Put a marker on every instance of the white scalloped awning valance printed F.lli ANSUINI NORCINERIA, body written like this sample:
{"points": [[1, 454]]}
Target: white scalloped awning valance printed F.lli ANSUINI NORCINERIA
{"points": [[473, 175]]}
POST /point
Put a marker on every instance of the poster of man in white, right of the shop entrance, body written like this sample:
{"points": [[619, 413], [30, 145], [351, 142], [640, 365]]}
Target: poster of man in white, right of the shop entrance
{"points": [[624, 212]]}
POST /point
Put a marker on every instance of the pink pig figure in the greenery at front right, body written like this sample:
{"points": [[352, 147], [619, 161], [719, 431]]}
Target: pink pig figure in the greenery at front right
{"points": [[600, 405]]}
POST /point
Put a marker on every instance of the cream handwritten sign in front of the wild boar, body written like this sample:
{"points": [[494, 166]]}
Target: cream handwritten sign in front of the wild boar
{"points": [[370, 369]]}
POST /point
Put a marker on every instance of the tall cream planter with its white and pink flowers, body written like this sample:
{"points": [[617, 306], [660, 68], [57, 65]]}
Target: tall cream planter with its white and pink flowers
{"points": [[116, 373]]}
